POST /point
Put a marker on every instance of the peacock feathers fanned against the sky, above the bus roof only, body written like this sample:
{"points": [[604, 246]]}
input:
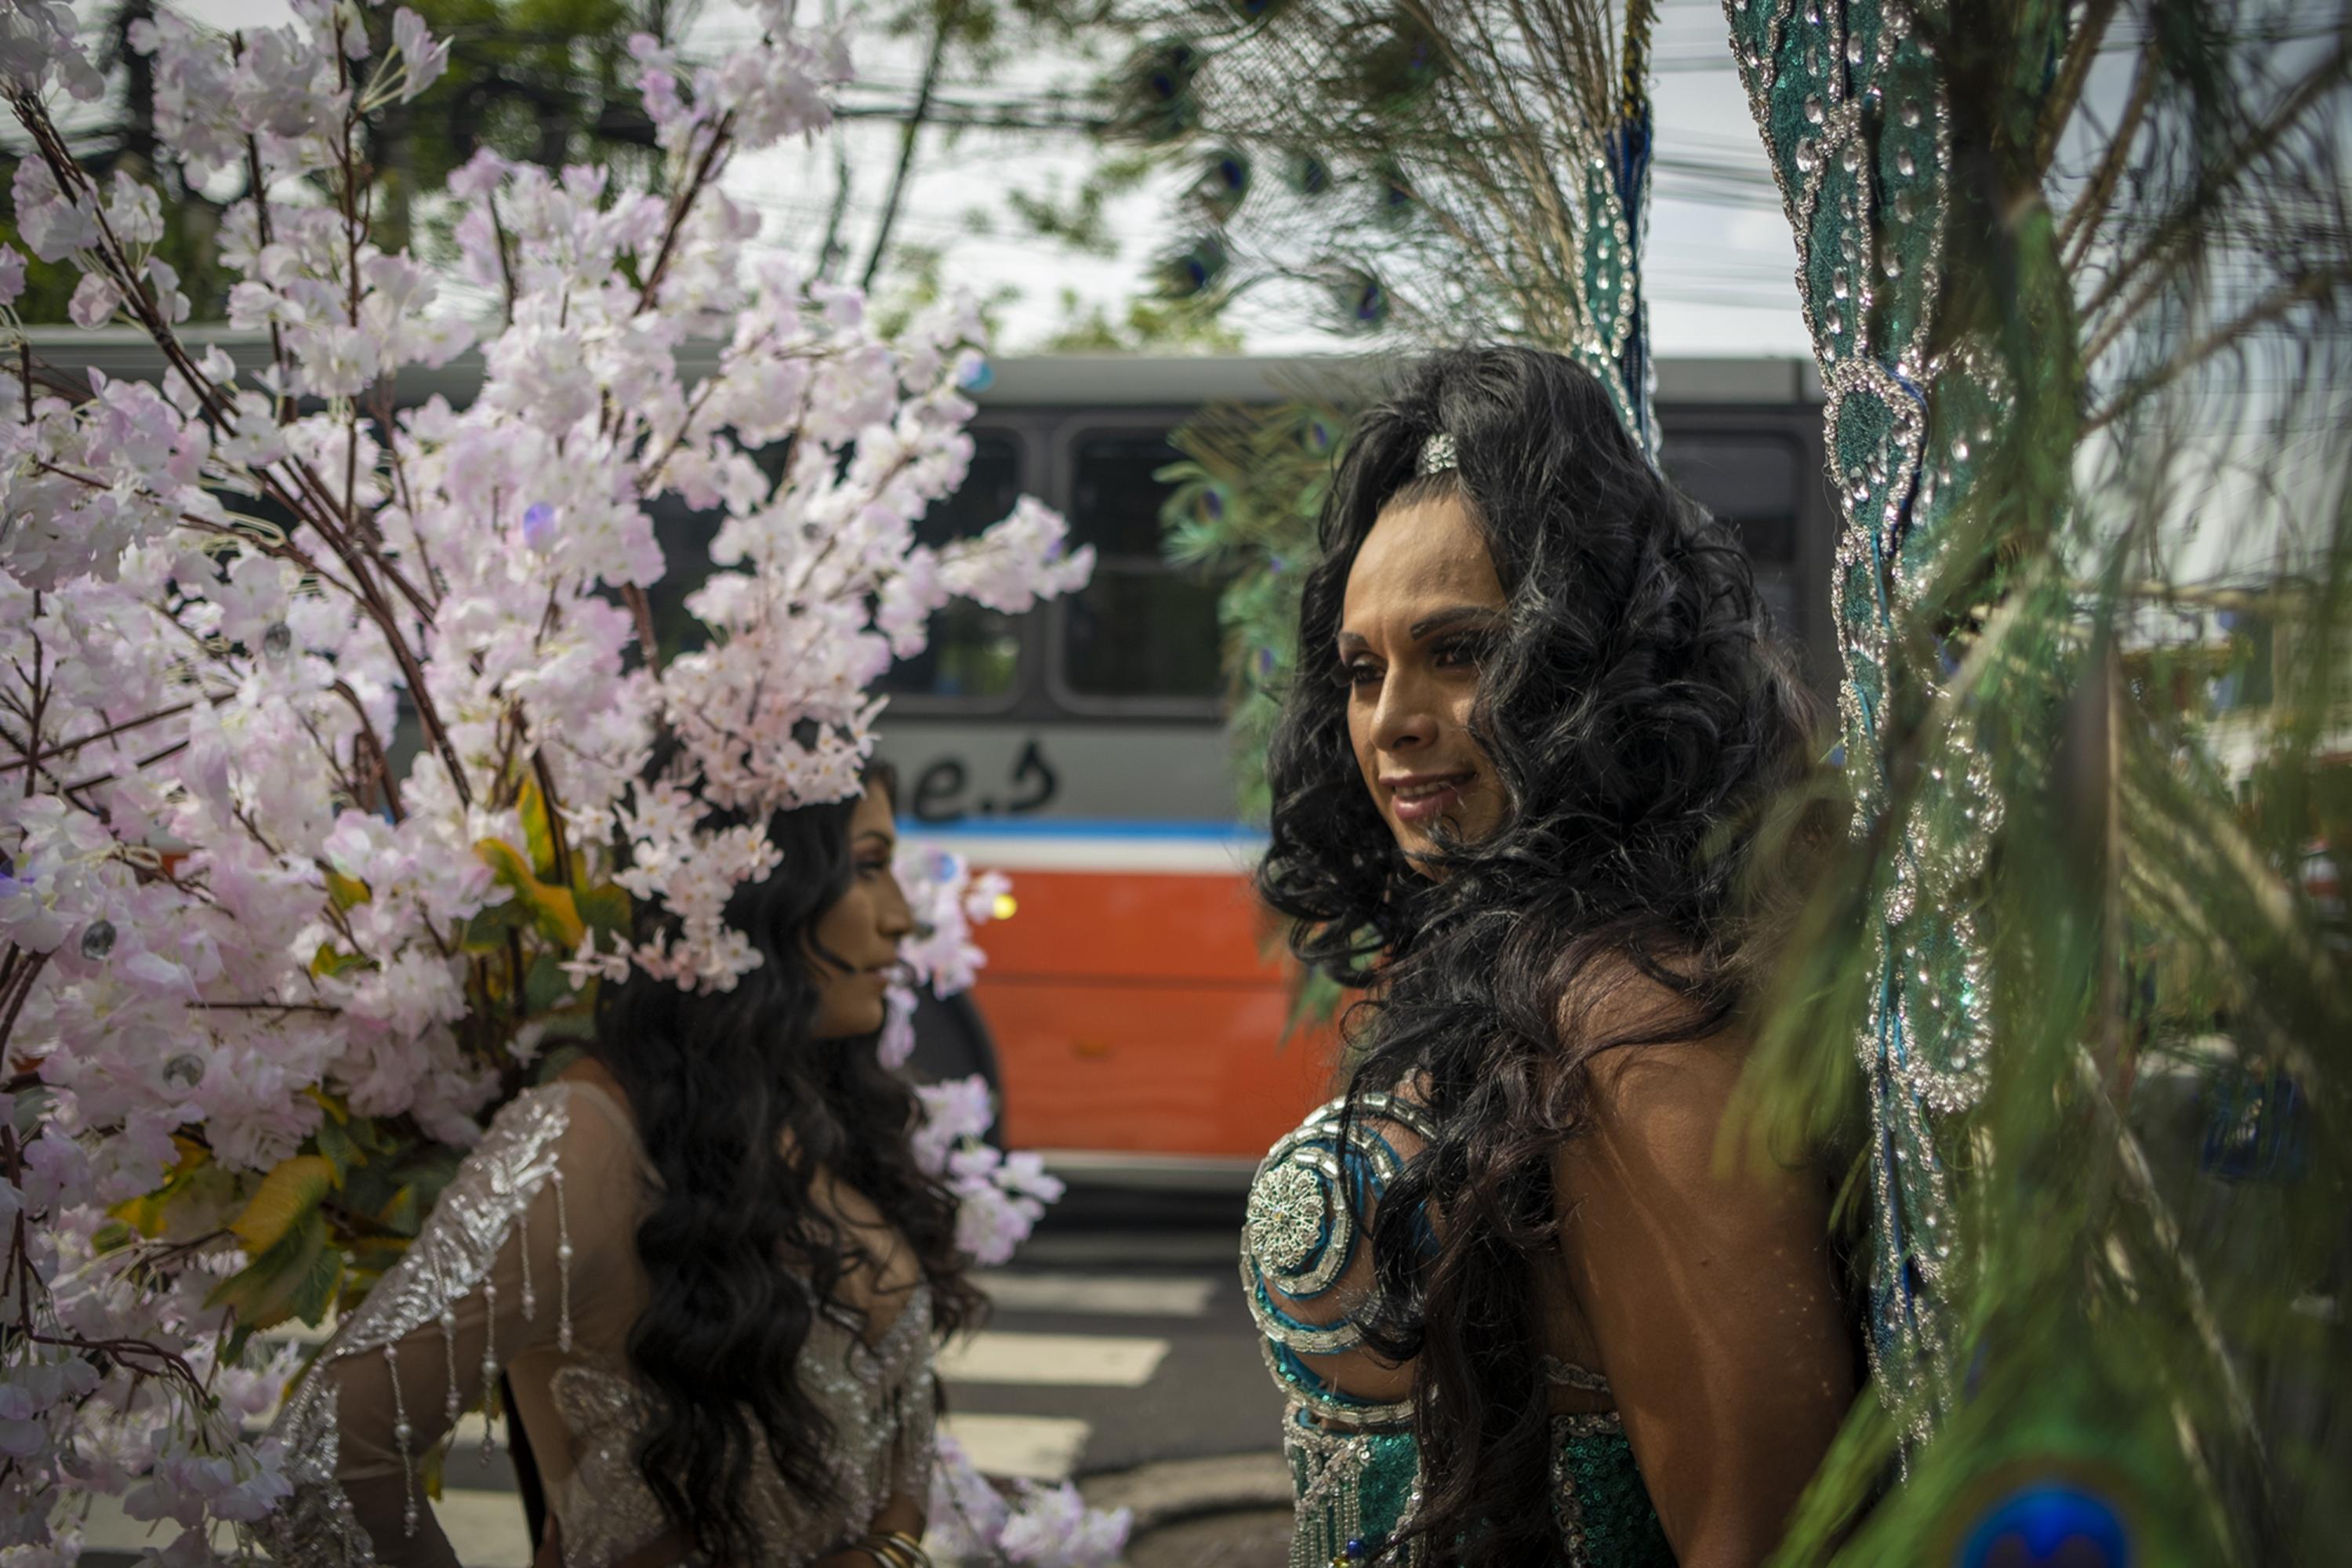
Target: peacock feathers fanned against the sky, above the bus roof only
{"points": [[1424, 168]]}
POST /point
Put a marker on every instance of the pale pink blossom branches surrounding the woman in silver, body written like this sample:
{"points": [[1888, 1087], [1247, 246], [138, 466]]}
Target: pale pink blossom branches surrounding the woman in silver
{"points": [[323, 730]]}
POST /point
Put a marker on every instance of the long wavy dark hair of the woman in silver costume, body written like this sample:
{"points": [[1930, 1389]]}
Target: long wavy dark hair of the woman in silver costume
{"points": [[716, 1080]]}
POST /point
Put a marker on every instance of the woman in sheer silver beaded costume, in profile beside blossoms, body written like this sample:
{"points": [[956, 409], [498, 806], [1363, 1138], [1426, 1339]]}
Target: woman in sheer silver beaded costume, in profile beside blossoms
{"points": [[702, 1257]]}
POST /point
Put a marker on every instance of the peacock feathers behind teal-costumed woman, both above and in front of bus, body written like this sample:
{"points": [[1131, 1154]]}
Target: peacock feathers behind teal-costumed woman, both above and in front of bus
{"points": [[1424, 173]]}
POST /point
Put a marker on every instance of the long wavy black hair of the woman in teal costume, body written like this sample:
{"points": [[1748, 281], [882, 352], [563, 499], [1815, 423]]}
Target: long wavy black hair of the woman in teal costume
{"points": [[1638, 716]]}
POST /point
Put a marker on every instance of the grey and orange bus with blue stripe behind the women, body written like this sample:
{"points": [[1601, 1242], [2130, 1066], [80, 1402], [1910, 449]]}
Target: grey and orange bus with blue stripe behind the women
{"points": [[1135, 1012]]}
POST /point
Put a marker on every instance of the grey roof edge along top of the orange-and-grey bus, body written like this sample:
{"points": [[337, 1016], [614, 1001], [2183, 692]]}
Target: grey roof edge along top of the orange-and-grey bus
{"points": [[1017, 382]]}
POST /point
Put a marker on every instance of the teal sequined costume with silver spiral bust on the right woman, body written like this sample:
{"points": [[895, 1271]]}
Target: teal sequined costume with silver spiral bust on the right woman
{"points": [[1356, 1473]]}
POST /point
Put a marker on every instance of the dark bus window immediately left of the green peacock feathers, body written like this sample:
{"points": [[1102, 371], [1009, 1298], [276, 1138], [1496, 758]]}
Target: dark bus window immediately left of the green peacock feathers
{"points": [[1142, 629]]}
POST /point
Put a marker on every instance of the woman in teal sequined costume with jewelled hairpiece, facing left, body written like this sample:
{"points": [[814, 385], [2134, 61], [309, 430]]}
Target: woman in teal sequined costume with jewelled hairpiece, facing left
{"points": [[1525, 1296]]}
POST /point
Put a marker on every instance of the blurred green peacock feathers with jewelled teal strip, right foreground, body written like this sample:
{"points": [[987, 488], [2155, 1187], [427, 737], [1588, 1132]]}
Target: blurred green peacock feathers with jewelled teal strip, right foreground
{"points": [[2073, 279]]}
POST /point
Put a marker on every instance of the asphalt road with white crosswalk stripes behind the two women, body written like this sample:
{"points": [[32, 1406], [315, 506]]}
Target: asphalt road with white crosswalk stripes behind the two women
{"points": [[1118, 1339]]}
